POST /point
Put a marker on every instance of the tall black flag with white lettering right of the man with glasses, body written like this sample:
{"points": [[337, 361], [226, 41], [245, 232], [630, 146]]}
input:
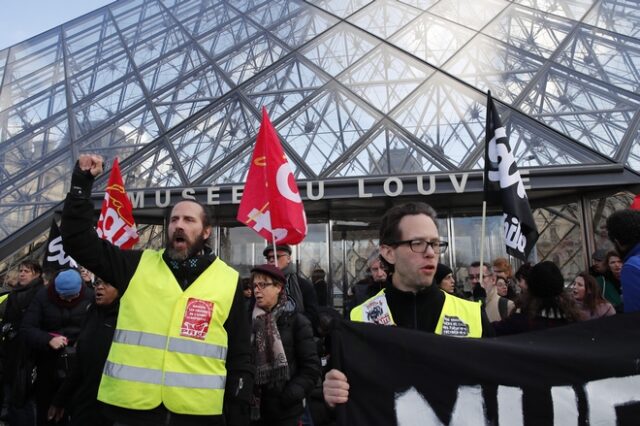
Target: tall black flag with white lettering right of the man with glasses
{"points": [[503, 185]]}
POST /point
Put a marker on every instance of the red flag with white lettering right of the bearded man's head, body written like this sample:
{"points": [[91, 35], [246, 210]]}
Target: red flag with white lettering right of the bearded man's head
{"points": [[271, 204]]}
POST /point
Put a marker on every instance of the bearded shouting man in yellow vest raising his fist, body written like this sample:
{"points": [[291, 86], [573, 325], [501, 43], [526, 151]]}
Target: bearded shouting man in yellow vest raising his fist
{"points": [[181, 351]]}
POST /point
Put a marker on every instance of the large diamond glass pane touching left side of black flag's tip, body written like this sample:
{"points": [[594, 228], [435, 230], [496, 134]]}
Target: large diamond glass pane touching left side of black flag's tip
{"points": [[446, 116]]}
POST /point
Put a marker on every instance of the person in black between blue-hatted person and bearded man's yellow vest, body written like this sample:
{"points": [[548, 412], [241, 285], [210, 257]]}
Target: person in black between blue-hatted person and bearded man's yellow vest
{"points": [[78, 394]]}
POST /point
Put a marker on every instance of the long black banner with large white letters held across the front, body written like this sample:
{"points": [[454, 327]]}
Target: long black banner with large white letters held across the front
{"points": [[581, 374]]}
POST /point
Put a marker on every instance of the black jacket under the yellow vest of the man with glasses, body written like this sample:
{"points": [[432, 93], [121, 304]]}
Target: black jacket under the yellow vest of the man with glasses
{"points": [[422, 310]]}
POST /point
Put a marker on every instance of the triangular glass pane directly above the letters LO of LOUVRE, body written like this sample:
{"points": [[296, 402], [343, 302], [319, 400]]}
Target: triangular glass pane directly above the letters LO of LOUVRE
{"points": [[386, 152]]}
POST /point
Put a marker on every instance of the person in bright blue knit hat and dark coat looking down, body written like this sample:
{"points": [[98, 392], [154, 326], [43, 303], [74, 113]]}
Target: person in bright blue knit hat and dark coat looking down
{"points": [[51, 327]]}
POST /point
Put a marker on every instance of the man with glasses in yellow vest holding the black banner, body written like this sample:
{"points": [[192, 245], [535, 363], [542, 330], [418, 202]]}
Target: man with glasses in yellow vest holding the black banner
{"points": [[410, 246]]}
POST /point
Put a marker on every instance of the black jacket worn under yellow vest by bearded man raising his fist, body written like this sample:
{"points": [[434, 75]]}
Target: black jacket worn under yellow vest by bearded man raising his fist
{"points": [[117, 267]]}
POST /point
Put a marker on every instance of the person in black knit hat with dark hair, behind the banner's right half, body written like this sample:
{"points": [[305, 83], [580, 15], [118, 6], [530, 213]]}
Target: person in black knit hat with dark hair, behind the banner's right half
{"points": [[544, 305]]}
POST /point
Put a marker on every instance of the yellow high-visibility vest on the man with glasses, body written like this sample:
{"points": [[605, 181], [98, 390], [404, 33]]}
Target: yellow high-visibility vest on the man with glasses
{"points": [[458, 318]]}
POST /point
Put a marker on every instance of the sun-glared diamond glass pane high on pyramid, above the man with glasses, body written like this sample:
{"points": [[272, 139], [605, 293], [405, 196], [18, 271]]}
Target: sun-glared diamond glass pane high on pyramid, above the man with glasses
{"points": [[431, 38]]}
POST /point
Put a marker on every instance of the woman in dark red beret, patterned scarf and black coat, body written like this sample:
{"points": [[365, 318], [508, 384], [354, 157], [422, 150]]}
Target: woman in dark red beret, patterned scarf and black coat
{"points": [[285, 355]]}
